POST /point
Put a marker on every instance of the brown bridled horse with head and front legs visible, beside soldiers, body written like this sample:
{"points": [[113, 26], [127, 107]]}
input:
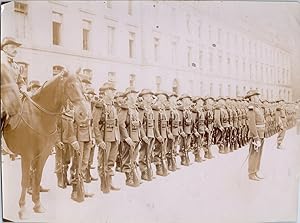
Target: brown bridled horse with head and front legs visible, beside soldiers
{"points": [[32, 132]]}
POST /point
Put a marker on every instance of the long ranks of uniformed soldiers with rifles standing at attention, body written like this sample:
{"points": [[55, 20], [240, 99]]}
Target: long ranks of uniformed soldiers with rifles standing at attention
{"points": [[134, 130]]}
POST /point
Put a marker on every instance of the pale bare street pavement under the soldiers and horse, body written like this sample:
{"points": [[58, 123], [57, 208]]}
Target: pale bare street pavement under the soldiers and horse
{"points": [[216, 190]]}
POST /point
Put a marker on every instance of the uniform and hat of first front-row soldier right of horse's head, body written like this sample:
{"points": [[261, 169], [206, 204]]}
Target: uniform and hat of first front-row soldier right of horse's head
{"points": [[107, 135]]}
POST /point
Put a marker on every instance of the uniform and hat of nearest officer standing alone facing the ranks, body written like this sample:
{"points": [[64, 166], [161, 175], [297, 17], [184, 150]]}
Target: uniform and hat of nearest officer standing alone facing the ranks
{"points": [[256, 123]]}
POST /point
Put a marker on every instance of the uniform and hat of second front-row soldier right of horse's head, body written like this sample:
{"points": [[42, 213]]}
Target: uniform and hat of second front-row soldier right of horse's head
{"points": [[130, 130]]}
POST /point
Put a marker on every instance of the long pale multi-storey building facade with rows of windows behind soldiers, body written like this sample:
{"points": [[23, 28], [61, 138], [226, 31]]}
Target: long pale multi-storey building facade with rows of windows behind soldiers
{"points": [[170, 45]]}
